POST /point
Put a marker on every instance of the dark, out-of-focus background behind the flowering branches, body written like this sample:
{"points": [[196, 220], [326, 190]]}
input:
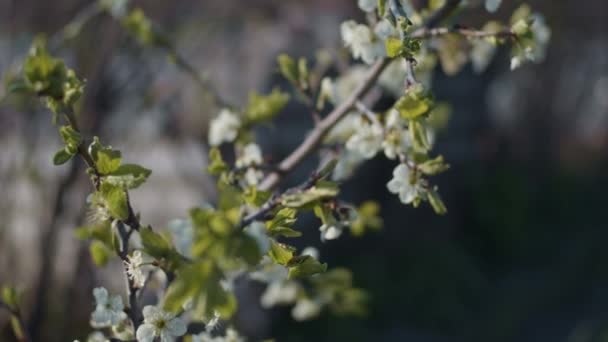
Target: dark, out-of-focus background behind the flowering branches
{"points": [[521, 256]]}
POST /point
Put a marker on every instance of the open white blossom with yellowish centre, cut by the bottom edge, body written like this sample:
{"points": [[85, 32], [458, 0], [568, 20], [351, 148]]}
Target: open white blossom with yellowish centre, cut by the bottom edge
{"points": [[160, 324]]}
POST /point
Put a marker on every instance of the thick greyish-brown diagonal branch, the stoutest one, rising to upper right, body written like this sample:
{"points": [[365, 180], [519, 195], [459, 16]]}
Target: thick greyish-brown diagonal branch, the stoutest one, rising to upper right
{"points": [[314, 139]]}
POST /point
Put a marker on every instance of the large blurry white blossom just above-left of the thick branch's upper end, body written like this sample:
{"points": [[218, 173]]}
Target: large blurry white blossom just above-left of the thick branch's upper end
{"points": [[362, 42]]}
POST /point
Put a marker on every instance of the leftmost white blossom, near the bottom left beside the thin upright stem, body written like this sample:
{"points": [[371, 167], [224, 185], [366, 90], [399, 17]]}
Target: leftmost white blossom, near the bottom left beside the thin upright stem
{"points": [[109, 310]]}
